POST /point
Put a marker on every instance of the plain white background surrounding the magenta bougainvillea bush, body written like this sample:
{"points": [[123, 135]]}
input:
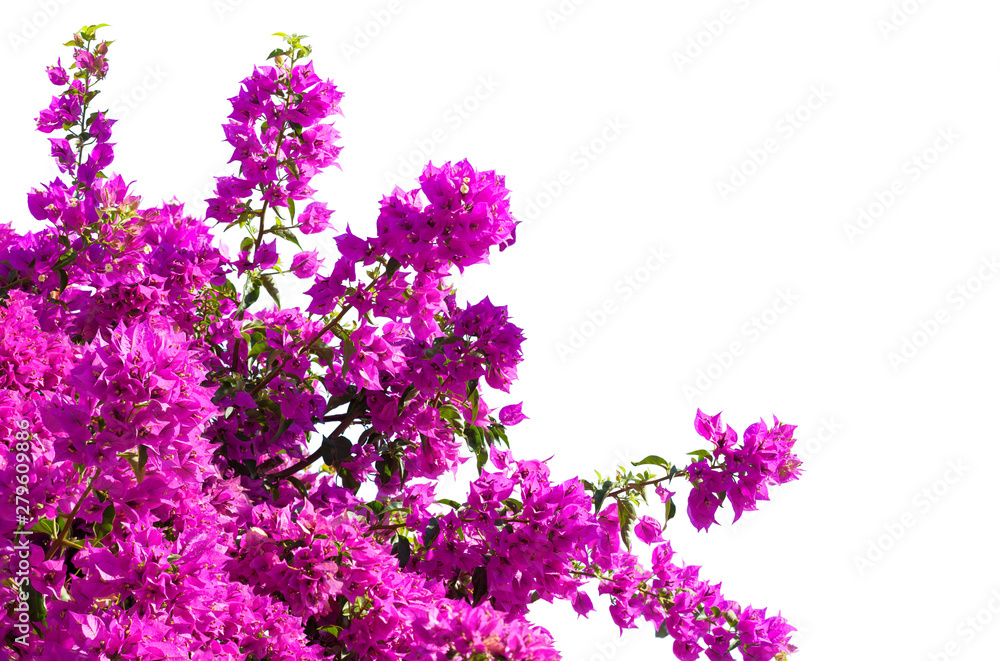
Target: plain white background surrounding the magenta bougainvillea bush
{"points": [[884, 81]]}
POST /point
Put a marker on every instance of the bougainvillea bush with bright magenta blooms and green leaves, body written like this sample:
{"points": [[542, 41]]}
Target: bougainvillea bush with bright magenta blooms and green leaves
{"points": [[190, 474]]}
